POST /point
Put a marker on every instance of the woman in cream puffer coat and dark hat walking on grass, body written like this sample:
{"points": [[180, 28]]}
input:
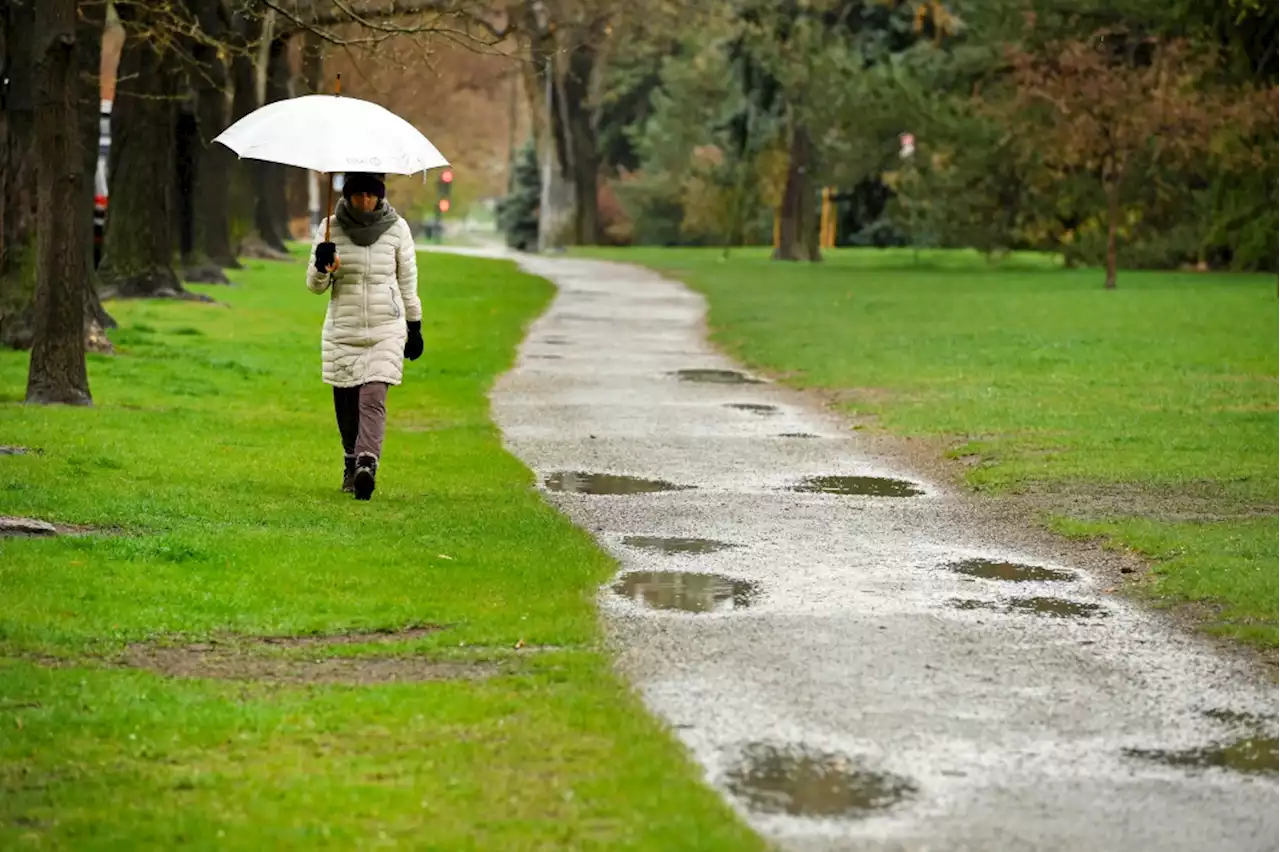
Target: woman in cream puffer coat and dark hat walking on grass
{"points": [[374, 319]]}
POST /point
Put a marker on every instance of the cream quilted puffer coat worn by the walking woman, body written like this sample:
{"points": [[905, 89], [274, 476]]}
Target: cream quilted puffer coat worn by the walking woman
{"points": [[374, 294]]}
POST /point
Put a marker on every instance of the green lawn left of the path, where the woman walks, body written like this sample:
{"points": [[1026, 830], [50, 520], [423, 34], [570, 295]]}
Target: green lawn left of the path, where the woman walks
{"points": [[212, 468]]}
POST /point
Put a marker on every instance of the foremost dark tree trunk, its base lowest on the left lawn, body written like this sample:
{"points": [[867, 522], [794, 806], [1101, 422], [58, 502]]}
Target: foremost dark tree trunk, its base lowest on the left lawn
{"points": [[58, 373]]}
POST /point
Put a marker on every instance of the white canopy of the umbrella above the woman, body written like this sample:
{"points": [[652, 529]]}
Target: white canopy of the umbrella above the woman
{"points": [[331, 134]]}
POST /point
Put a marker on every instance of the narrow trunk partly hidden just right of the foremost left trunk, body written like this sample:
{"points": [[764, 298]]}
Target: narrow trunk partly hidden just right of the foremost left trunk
{"points": [[90, 28]]}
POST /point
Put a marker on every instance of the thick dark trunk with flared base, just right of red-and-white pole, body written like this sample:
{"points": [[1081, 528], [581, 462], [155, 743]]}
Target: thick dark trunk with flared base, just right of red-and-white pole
{"points": [[138, 259]]}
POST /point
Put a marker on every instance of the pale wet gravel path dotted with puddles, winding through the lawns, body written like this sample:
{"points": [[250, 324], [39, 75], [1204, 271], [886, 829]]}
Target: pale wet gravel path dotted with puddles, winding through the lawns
{"points": [[854, 656]]}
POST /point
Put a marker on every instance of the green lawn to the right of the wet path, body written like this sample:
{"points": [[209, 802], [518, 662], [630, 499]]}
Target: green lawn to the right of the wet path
{"points": [[1158, 405]]}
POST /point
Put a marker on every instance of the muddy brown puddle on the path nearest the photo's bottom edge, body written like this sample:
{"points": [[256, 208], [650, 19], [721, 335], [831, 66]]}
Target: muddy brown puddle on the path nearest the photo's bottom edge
{"points": [[801, 782]]}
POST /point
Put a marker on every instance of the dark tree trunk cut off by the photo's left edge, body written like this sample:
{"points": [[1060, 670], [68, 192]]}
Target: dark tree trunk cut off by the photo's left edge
{"points": [[17, 175]]}
